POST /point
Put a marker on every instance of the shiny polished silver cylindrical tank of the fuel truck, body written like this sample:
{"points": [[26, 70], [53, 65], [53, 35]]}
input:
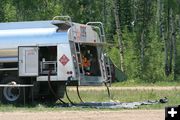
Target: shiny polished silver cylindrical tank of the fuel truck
{"points": [[32, 33]]}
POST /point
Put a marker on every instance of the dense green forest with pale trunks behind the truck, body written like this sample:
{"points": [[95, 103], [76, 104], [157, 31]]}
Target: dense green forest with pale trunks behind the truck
{"points": [[143, 35]]}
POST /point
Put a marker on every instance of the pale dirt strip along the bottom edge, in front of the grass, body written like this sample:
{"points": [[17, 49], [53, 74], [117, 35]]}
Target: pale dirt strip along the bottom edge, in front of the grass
{"points": [[86, 115]]}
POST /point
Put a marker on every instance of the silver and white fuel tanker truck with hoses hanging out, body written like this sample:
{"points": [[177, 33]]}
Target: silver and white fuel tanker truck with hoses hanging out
{"points": [[42, 55]]}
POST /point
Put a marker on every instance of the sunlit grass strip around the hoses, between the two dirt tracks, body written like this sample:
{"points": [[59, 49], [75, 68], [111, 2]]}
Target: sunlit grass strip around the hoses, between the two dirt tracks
{"points": [[93, 95]]}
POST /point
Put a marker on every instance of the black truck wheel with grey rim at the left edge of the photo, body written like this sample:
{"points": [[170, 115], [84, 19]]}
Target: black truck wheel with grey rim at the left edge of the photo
{"points": [[11, 94]]}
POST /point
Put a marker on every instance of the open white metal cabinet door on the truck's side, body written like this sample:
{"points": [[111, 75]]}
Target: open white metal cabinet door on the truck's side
{"points": [[28, 61]]}
